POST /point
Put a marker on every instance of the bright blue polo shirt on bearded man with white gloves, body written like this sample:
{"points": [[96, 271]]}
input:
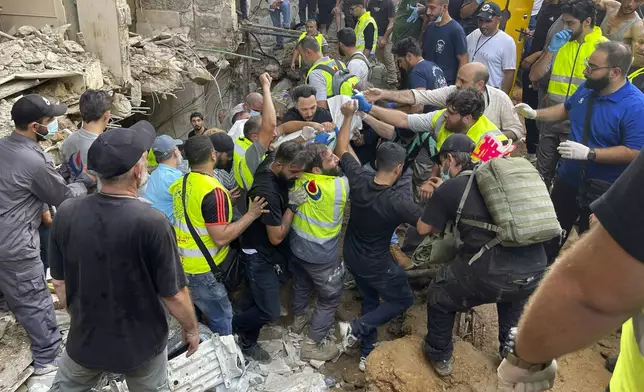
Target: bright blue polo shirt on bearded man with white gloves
{"points": [[617, 120]]}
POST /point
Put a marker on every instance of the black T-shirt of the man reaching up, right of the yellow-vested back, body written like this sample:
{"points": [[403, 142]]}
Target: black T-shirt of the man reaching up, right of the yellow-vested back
{"points": [[376, 211]]}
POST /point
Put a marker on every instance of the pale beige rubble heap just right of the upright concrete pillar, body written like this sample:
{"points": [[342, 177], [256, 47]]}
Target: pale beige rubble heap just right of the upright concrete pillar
{"points": [[158, 63]]}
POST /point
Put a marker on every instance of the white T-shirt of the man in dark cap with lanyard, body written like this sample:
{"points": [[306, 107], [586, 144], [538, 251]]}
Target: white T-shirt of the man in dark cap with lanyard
{"points": [[498, 53]]}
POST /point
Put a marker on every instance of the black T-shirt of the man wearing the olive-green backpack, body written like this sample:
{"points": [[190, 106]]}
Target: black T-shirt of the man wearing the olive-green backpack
{"points": [[442, 207]]}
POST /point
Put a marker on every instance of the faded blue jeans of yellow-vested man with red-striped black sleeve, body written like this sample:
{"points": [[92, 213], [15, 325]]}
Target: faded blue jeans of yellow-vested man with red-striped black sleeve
{"points": [[211, 298]]}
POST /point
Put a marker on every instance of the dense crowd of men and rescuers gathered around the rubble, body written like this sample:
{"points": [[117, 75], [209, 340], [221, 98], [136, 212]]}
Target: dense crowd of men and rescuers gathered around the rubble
{"points": [[223, 212]]}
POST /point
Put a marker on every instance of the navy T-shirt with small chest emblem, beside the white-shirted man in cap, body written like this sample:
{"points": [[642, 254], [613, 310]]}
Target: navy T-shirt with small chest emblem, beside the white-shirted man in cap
{"points": [[443, 45]]}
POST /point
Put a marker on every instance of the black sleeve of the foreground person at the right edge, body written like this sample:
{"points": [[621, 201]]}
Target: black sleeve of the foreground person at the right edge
{"points": [[620, 209]]}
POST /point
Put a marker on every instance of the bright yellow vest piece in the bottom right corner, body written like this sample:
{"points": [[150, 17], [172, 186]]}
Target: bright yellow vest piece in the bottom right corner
{"points": [[629, 371]]}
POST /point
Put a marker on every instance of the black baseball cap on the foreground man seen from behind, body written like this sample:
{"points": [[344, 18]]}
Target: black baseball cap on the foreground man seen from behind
{"points": [[116, 151]]}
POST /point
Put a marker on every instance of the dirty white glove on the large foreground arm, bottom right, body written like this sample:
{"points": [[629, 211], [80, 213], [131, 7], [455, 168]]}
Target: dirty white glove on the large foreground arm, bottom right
{"points": [[514, 379]]}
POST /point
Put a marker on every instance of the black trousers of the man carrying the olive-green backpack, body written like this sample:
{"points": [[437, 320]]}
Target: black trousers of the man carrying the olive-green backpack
{"points": [[457, 287]]}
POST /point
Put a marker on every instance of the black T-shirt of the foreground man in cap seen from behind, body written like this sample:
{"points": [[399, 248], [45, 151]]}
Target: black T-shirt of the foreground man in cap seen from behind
{"points": [[117, 256]]}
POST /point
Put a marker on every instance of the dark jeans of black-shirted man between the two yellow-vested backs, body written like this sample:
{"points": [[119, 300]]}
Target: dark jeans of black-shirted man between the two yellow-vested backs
{"points": [[262, 299]]}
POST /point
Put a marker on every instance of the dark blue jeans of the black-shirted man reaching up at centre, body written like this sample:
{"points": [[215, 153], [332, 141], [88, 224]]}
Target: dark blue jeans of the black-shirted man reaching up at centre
{"points": [[393, 287]]}
